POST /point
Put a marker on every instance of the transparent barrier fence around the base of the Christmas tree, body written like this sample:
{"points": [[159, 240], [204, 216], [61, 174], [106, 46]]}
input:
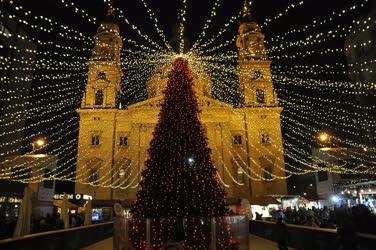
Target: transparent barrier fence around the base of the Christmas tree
{"points": [[229, 232]]}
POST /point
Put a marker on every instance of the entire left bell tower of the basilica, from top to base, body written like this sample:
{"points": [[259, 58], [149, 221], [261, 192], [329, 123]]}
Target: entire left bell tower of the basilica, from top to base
{"points": [[98, 114]]}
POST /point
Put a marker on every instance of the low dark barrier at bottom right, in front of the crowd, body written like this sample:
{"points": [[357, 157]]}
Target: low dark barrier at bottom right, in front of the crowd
{"points": [[313, 238]]}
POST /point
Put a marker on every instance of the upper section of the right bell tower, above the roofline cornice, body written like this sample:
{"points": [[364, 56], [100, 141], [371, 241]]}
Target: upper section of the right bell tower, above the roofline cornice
{"points": [[255, 84]]}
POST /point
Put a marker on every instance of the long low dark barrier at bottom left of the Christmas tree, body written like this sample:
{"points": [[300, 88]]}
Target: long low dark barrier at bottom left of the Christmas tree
{"points": [[64, 239]]}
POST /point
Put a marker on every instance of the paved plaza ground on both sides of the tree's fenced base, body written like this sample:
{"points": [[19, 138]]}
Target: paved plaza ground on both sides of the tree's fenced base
{"points": [[256, 243]]}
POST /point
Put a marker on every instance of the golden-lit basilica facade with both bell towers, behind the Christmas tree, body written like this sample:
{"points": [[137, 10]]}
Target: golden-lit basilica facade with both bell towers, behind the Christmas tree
{"points": [[245, 141]]}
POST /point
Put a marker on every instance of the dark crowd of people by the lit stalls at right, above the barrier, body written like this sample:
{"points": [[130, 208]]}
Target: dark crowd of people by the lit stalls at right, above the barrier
{"points": [[359, 217]]}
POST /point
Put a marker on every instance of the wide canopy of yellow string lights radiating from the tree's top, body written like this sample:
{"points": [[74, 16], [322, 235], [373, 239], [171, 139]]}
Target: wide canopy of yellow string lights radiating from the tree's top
{"points": [[321, 100]]}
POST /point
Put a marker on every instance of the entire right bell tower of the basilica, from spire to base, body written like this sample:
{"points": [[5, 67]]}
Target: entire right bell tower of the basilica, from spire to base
{"points": [[261, 111]]}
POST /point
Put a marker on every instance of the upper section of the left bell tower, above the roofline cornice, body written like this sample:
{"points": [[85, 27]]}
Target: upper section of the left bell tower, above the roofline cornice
{"points": [[105, 73]]}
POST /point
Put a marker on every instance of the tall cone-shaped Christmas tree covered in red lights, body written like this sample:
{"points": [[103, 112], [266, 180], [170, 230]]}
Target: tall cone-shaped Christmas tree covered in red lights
{"points": [[179, 179]]}
